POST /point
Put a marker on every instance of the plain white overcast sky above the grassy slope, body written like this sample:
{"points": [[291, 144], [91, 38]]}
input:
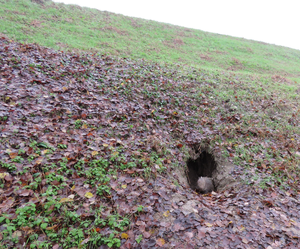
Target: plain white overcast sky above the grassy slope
{"points": [[271, 21]]}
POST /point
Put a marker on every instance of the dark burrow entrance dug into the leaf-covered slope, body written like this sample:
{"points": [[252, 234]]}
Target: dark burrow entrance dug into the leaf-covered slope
{"points": [[204, 163]]}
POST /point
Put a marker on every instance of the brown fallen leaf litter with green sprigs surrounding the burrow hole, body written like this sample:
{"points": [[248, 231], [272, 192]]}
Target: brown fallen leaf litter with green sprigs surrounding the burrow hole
{"points": [[90, 145]]}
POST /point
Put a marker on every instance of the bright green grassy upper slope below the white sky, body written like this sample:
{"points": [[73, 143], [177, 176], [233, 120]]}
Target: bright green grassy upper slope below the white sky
{"points": [[66, 26]]}
